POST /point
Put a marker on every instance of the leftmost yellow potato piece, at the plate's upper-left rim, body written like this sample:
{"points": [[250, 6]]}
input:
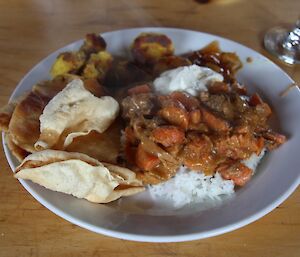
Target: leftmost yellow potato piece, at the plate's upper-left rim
{"points": [[68, 62]]}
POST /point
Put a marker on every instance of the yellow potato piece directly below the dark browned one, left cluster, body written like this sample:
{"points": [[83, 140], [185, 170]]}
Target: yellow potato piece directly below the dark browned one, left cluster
{"points": [[97, 65]]}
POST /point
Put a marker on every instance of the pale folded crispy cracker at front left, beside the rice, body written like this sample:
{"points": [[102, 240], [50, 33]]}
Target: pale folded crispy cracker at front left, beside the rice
{"points": [[79, 175]]}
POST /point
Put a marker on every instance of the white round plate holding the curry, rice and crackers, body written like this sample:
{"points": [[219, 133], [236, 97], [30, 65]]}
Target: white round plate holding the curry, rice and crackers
{"points": [[277, 177]]}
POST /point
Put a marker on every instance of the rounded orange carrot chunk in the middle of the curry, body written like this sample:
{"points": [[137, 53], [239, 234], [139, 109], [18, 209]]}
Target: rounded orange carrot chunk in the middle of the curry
{"points": [[168, 135]]}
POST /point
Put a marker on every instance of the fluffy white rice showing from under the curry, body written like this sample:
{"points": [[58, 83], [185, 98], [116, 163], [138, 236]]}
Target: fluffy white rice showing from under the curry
{"points": [[194, 187]]}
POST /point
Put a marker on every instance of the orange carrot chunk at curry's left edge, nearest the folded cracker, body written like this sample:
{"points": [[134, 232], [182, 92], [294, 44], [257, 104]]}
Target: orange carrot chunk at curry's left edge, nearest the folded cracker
{"points": [[145, 160]]}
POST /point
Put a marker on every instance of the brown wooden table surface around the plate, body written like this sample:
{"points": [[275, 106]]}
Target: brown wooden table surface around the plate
{"points": [[30, 30]]}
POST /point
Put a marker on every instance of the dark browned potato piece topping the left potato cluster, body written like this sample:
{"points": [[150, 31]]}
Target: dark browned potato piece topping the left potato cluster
{"points": [[93, 44]]}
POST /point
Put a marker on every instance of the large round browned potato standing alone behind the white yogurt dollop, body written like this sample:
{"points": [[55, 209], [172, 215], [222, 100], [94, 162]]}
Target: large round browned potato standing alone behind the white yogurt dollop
{"points": [[148, 48]]}
